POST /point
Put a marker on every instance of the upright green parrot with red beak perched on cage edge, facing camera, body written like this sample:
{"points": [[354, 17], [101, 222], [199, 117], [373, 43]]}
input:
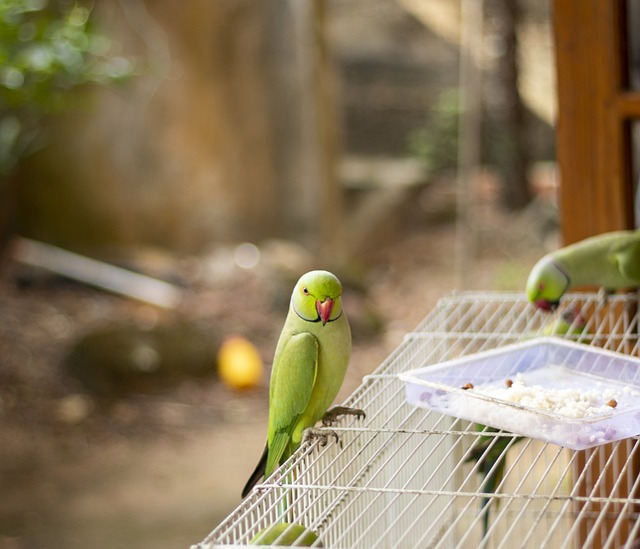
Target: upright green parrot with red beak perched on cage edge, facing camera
{"points": [[309, 366]]}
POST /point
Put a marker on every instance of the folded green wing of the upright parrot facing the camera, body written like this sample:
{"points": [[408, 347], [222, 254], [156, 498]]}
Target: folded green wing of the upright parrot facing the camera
{"points": [[291, 389]]}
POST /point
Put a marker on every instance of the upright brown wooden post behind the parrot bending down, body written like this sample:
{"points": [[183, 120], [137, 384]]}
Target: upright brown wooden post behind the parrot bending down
{"points": [[594, 113]]}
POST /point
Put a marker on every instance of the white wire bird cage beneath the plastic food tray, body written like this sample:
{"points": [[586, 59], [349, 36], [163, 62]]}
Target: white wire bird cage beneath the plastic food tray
{"points": [[403, 477]]}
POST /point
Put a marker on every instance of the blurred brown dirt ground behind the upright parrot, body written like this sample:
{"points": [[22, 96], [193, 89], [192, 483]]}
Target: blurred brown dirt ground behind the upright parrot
{"points": [[161, 468]]}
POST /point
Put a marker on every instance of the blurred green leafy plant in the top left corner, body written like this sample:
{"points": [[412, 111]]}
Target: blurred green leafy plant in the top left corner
{"points": [[47, 48]]}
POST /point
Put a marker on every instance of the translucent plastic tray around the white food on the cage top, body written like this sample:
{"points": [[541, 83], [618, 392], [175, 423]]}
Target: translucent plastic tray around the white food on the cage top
{"points": [[551, 363]]}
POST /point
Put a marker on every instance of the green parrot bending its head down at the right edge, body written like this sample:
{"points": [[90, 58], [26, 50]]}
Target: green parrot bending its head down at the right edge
{"points": [[610, 261]]}
